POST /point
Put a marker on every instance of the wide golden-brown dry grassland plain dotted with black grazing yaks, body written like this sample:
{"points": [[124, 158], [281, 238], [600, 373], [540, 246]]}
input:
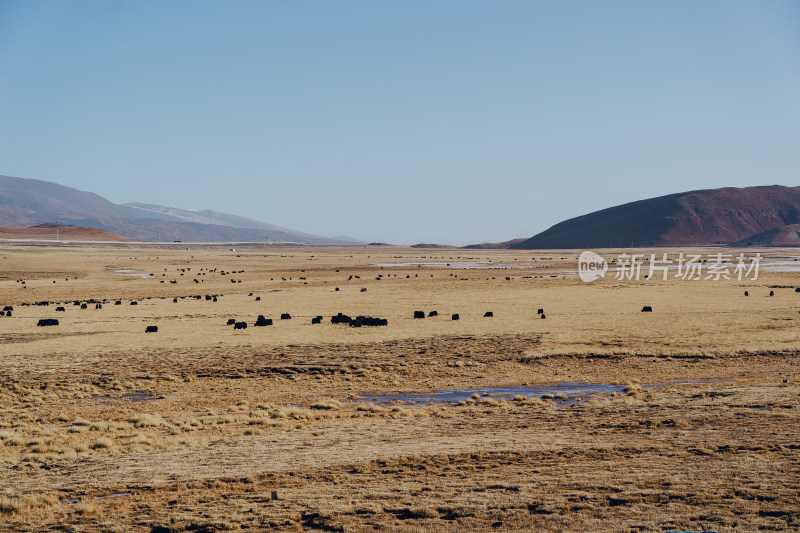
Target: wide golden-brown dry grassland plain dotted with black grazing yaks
{"points": [[690, 421]]}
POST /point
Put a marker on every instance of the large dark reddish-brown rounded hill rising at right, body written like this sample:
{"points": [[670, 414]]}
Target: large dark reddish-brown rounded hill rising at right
{"points": [[711, 216]]}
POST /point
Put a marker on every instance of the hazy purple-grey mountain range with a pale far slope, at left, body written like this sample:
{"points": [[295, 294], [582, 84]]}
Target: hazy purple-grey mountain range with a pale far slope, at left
{"points": [[29, 202]]}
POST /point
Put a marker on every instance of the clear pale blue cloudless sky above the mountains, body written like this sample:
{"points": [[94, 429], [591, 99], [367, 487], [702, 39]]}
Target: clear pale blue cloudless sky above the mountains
{"points": [[408, 121]]}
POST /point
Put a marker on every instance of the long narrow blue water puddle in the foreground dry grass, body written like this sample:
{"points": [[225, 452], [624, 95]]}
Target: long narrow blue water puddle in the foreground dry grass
{"points": [[566, 391]]}
